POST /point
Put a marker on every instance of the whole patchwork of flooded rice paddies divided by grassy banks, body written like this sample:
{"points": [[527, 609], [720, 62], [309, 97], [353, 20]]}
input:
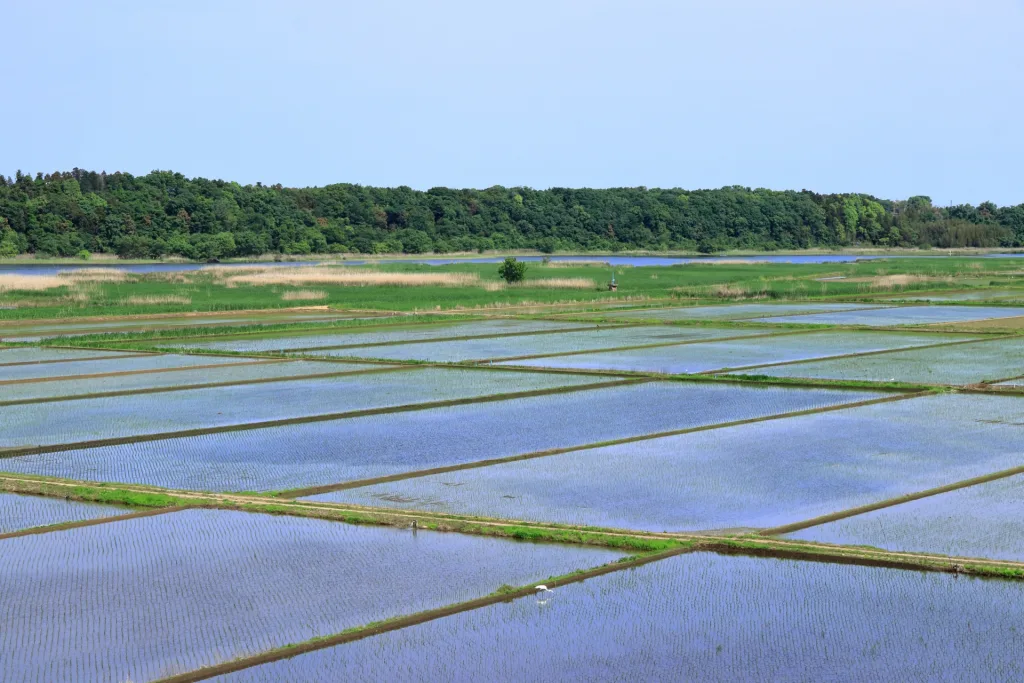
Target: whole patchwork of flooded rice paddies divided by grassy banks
{"points": [[753, 467]]}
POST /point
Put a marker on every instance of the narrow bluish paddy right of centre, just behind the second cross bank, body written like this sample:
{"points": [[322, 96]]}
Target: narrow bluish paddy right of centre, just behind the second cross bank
{"points": [[714, 356]]}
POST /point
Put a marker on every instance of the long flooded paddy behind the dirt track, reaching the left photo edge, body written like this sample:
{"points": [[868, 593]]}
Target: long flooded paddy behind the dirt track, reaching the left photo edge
{"points": [[328, 453]]}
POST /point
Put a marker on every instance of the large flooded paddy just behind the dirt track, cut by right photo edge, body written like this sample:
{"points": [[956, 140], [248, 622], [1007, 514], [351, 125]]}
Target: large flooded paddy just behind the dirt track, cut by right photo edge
{"points": [[751, 477]]}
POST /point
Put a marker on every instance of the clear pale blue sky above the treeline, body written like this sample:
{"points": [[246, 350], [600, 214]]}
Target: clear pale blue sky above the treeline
{"points": [[891, 98]]}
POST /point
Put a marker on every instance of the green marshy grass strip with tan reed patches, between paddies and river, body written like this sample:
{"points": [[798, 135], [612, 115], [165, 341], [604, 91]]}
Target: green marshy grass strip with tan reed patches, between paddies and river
{"points": [[159, 293]]}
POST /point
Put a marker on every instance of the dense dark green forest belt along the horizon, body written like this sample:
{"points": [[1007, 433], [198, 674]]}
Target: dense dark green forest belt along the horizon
{"points": [[165, 214]]}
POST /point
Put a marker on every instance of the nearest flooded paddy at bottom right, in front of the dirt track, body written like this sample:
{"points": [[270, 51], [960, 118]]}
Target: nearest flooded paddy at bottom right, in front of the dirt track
{"points": [[708, 618]]}
